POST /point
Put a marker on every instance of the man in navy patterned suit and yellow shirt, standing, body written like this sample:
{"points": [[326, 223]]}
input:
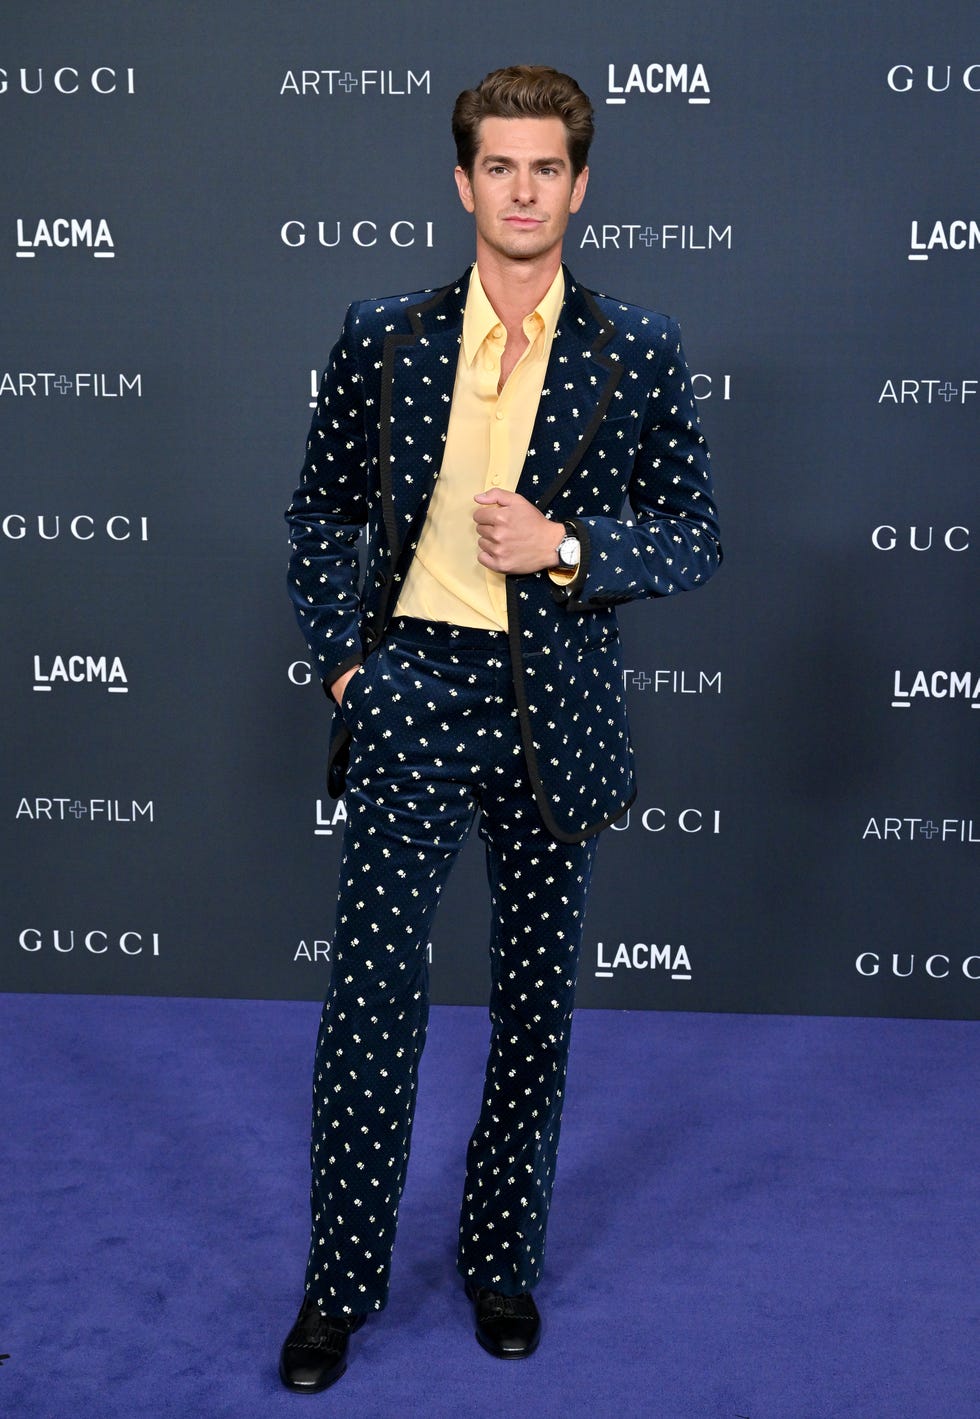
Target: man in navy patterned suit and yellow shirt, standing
{"points": [[487, 438]]}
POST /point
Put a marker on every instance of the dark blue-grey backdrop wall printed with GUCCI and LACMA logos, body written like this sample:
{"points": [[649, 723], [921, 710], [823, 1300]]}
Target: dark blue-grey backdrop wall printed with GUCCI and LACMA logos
{"points": [[194, 195]]}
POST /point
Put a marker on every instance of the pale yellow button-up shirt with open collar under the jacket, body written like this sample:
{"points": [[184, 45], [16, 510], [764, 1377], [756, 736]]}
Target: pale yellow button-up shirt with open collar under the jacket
{"points": [[486, 448]]}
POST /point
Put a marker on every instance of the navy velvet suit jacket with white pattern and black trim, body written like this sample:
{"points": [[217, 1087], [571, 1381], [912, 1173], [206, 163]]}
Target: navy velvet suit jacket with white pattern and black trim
{"points": [[616, 422]]}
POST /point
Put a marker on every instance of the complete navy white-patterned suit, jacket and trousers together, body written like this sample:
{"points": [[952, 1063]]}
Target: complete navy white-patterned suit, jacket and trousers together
{"points": [[443, 724]]}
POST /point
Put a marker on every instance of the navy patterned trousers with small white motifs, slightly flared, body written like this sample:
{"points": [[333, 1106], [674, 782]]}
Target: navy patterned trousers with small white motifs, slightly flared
{"points": [[436, 746]]}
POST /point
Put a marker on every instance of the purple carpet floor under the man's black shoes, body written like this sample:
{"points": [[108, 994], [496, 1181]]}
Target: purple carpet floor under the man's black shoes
{"points": [[755, 1217]]}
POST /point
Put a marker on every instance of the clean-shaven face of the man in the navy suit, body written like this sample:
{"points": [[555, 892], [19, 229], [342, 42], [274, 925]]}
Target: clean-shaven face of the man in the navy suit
{"points": [[521, 189]]}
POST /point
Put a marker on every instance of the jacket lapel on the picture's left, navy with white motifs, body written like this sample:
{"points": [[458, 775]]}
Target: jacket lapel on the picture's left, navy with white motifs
{"points": [[418, 378]]}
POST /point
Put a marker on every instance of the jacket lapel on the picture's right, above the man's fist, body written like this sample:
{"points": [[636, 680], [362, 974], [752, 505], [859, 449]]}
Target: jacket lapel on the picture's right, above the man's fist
{"points": [[579, 384]]}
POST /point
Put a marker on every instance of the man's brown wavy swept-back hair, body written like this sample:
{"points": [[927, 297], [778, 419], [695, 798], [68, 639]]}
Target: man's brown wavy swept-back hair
{"points": [[524, 92]]}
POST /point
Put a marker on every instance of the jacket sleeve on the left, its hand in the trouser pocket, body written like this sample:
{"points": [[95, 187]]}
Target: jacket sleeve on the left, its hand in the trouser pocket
{"points": [[328, 513]]}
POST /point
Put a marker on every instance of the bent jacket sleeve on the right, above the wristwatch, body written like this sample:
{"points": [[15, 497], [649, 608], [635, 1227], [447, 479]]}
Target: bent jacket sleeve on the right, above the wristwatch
{"points": [[672, 544]]}
